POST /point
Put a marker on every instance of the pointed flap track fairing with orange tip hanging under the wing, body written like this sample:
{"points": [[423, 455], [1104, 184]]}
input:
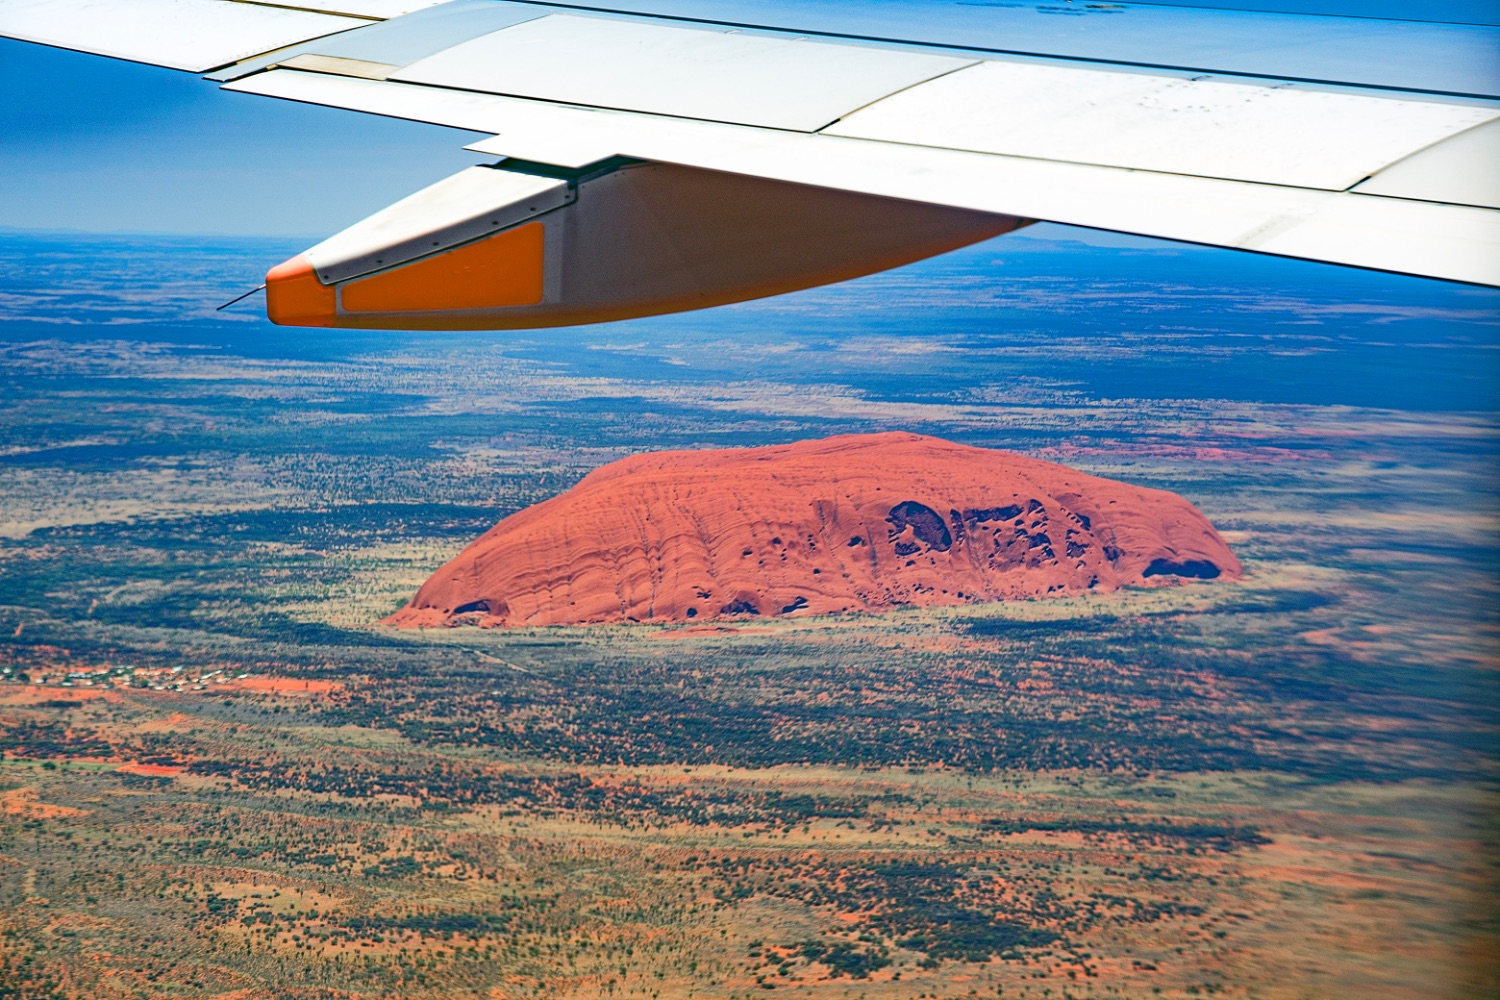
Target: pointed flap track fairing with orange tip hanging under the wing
{"points": [[523, 245]]}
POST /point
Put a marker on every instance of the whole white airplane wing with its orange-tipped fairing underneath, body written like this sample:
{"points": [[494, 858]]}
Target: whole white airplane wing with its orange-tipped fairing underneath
{"points": [[664, 155]]}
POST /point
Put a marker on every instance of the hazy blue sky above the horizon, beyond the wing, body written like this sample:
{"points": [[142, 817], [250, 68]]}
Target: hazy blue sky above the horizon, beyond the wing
{"points": [[104, 146]]}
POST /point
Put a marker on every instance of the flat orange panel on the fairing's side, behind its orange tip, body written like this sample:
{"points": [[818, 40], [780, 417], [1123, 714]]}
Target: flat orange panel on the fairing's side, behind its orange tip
{"points": [[497, 272]]}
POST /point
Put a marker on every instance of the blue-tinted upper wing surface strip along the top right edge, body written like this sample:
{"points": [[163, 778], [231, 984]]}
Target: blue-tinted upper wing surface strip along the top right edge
{"points": [[1369, 52]]}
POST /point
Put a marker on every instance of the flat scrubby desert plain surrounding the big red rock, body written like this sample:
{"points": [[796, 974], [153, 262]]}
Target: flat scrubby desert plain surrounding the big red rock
{"points": [[223, 777]]}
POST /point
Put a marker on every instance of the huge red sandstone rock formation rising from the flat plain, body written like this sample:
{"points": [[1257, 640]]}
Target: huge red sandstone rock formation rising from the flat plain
{"points": [[854, 524]]}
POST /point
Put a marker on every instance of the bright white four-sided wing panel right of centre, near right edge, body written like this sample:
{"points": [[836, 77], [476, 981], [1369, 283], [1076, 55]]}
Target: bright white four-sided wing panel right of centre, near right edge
{"points": [[1205, 127]]}
